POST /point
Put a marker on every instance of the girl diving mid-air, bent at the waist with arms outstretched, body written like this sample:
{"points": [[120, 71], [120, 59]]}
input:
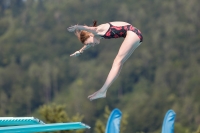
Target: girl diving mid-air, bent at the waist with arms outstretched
{"points": [[91, 36]]}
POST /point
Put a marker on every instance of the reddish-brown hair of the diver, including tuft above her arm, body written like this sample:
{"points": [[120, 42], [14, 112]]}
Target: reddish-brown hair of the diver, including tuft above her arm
{"points": [[84, 35]]}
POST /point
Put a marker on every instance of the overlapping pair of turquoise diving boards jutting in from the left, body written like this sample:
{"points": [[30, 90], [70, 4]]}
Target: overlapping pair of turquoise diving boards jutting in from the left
{"points": [[31, 124]]}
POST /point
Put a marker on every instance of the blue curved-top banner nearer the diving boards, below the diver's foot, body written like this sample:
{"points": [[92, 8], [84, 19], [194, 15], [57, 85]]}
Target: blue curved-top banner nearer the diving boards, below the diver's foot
{"points": [[113, 124]]}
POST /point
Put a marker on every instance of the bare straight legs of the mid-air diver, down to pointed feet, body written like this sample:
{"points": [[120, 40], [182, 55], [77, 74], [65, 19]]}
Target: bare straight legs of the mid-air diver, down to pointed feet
{"points": [[130, 43]]}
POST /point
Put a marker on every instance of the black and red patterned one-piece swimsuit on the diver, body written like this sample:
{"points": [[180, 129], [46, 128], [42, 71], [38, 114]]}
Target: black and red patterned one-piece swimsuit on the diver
{"points": [[120, 31]]}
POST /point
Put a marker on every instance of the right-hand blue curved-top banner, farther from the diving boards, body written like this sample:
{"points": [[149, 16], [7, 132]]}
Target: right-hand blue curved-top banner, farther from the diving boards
{"points": [[168, 123]]}
